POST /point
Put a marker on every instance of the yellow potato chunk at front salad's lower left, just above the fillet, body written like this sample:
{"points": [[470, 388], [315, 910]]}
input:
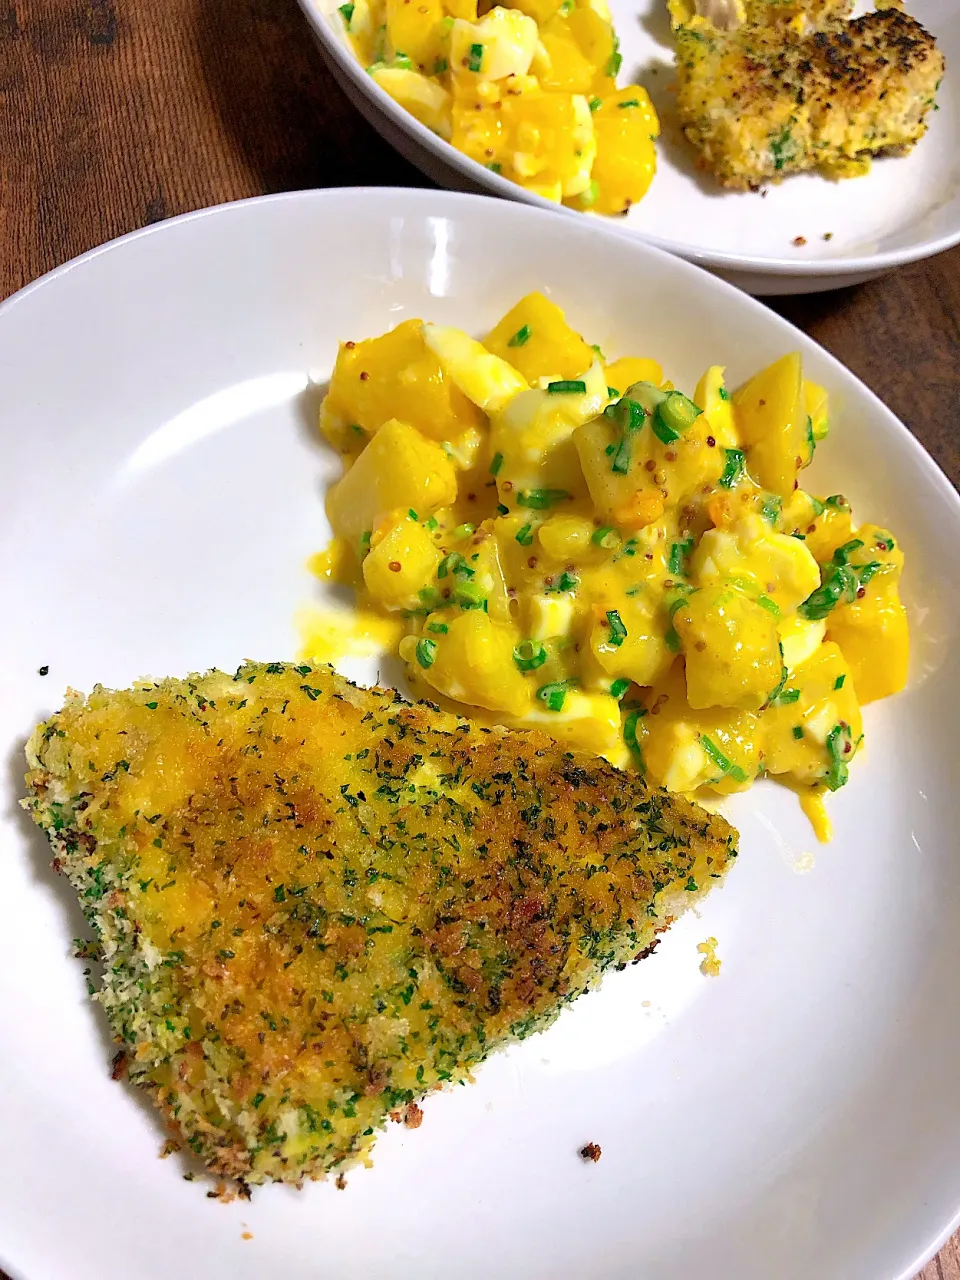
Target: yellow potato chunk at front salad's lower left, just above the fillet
{"points": [[473, 664]]}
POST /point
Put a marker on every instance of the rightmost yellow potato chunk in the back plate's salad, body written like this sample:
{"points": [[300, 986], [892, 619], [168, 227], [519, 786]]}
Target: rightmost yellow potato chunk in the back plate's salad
{"points": [[625, 127]]}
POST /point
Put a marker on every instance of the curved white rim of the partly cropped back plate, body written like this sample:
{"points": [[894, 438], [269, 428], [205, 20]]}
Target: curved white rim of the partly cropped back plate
{"points": [[481, 179]]}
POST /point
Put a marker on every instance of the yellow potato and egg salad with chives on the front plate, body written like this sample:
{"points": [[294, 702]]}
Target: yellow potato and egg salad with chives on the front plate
{"points": [[575, 545]]}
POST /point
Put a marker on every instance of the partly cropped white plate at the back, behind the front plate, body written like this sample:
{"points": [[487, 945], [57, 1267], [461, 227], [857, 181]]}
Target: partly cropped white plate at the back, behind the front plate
{"points": [[907, 209]]}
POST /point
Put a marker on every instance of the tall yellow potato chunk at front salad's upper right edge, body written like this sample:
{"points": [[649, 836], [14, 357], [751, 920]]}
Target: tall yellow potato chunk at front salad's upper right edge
{"points": [[771, 414]]}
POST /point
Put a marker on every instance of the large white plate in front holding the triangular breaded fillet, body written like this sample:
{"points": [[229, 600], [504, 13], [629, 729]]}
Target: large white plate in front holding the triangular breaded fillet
{"points": [[162, 490]]}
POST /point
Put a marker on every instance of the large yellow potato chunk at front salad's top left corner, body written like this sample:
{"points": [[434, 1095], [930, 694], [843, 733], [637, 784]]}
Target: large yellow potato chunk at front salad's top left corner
{"points": [[394, 377]]}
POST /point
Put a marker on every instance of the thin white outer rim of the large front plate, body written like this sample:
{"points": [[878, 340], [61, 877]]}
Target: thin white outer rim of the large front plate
{"points": [[429, 200]]}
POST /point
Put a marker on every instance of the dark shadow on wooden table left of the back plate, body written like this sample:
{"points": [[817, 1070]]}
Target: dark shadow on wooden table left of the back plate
{"points": [[280, 106]]}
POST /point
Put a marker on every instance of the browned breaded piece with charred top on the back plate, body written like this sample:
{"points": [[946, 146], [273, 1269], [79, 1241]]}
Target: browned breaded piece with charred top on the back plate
{"points": [[764, 102]]}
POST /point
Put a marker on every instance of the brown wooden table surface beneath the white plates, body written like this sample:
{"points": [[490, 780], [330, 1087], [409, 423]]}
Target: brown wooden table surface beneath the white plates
{"points": [[120, 113]]}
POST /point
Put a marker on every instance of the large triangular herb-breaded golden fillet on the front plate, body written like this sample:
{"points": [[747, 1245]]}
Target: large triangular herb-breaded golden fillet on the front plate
{"points": [[318, 903]]}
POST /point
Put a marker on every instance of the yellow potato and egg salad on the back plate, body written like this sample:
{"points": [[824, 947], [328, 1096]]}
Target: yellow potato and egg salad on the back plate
{"points": [[528, 90]]}
